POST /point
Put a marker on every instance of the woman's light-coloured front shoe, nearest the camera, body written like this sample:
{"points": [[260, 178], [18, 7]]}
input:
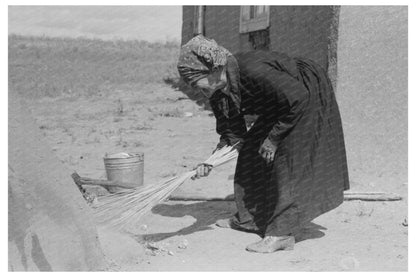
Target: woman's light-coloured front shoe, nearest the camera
{"points": [[272, 244]]}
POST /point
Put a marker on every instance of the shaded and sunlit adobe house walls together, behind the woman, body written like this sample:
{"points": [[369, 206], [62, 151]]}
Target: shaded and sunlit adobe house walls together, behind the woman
{"points": [[365, 53]]}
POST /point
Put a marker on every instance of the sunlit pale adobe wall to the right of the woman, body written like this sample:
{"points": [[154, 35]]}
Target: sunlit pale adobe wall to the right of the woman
{"points": [[372, 92]]}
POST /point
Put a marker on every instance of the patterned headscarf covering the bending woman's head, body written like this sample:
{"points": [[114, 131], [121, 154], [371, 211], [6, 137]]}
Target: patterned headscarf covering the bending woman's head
{"points": [[199, 57]]}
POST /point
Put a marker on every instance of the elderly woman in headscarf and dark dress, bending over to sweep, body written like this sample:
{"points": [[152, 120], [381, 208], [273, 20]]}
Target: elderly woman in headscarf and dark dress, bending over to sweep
{"points": [[292, 165]]}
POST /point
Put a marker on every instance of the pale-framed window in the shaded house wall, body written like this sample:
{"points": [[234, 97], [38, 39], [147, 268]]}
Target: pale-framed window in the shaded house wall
{"points": [[254, 18]]}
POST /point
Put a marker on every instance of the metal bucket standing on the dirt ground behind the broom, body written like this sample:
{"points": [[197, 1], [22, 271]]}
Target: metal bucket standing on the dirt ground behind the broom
{"points": [[125, 167]]}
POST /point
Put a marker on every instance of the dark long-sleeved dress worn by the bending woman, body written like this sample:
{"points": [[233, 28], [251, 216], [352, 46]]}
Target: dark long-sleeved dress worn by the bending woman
{"points": [[298, 112]]}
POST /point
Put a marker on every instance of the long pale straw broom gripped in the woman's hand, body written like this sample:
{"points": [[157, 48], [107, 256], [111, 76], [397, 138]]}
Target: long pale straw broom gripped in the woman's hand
{"points": [[125, 207]]}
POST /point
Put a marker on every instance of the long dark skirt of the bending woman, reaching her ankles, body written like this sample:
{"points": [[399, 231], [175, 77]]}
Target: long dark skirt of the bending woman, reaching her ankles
{"points": [[309, 172]]}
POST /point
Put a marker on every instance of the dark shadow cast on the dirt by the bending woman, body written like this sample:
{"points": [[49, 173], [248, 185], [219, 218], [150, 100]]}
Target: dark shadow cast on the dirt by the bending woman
{"points": [[207, 213]]}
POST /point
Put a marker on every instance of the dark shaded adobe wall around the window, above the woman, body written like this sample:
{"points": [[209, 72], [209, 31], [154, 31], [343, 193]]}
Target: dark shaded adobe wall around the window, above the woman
{"points": [[295, 30]]}
